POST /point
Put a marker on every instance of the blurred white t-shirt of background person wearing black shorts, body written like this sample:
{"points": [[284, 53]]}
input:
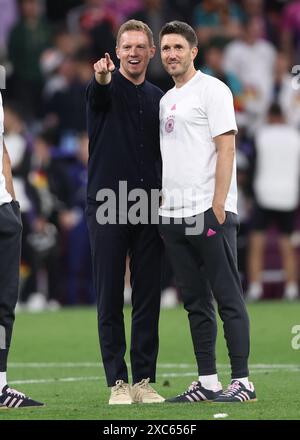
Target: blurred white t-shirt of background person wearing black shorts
{"points": [[276, 181]]}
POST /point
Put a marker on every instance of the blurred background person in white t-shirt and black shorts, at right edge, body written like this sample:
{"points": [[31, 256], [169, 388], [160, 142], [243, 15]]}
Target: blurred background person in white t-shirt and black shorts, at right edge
{"points": [[276, 190]]}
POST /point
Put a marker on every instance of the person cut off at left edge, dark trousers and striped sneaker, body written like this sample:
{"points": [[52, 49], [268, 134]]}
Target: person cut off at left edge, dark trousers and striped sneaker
{"points": [[10, 250]]}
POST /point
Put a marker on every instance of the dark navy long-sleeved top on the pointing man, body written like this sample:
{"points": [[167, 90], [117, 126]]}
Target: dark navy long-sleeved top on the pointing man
{"points": [[123, 129]]}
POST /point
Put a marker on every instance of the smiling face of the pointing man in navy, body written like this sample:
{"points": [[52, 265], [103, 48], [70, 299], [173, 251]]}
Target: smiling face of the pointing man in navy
{"points": [[134, 52]]}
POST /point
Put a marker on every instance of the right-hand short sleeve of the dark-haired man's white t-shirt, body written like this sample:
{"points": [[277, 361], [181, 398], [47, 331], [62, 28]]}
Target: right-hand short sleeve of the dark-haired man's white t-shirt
{"points": [[219, 108]]}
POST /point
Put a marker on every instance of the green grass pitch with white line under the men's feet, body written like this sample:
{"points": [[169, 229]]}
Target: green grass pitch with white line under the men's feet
{"points": [[54, 358]]}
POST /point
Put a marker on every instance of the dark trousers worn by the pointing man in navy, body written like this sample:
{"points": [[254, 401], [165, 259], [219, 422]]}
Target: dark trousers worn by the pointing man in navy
{"points": [[110, 245]]}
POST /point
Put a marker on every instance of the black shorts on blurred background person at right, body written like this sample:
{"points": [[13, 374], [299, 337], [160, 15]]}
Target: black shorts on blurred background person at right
{"points": [[264, 218]]}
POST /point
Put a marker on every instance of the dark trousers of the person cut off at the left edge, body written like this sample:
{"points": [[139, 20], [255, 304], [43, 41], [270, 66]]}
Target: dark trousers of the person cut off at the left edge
{"points": [[10, 252]]}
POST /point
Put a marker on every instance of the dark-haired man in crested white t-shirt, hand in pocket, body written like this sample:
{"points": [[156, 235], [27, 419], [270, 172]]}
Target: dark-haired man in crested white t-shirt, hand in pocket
{"points": [[198, 215]]}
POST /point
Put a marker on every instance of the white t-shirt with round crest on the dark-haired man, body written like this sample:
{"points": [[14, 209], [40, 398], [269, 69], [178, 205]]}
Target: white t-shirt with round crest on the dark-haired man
{"points": [[190, 117]]}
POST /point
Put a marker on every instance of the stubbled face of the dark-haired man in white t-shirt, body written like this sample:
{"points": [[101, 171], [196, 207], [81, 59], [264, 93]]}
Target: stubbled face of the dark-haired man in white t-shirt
{"points": [[177, 55]]}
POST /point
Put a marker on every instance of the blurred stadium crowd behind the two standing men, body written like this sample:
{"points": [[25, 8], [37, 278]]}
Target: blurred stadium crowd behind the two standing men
{"points": [[48, 49]]}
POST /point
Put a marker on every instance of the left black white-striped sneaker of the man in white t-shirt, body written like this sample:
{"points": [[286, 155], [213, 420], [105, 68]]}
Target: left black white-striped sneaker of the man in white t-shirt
{"points": [[196, 393]]}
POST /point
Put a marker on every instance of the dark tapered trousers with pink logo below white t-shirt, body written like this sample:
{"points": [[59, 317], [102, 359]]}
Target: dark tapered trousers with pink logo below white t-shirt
{"points": [[205, 266]]}
